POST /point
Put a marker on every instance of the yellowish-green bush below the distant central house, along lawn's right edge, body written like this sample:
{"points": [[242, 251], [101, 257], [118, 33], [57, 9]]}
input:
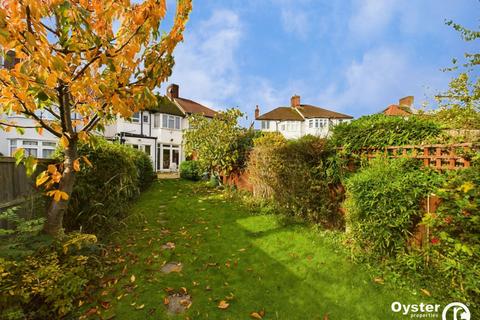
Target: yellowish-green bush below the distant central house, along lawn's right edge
{"points": [[294, 174]]}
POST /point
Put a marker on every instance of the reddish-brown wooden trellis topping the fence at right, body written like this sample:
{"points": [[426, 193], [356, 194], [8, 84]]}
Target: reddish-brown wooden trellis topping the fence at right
{"points": [[438, 156]]}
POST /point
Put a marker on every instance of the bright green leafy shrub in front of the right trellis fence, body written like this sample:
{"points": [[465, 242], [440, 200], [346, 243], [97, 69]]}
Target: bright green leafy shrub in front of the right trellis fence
{"points": [[383, 205]]}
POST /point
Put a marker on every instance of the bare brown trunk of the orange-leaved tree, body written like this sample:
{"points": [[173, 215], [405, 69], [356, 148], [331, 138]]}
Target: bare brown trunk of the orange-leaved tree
{"points": [[54, 223]]}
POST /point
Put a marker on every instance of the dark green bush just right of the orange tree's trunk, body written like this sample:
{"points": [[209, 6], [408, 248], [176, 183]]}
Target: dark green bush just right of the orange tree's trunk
{"points": [[102, 192]]}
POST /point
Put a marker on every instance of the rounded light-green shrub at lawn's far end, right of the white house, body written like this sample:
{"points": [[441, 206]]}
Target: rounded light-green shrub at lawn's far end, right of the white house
{"points": [[219, 144]]}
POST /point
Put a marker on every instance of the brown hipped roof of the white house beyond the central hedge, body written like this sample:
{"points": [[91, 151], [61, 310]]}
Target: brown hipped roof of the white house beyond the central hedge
{"points": [[300, 113]]}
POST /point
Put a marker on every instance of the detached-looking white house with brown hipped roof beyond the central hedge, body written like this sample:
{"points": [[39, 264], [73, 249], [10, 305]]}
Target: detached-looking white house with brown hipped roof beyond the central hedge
{"points": [[299, 120]]}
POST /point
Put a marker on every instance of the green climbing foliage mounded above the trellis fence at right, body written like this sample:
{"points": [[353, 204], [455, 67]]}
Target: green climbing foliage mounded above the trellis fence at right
{"points": [[380, 130]]}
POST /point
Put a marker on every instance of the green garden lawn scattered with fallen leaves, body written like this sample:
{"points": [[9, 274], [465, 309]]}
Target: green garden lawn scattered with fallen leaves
{"points": [[252, 262]]}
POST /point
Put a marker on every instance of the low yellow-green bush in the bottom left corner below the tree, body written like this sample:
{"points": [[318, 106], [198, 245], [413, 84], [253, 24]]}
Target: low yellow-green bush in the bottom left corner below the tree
{"points": [[43, 277]]}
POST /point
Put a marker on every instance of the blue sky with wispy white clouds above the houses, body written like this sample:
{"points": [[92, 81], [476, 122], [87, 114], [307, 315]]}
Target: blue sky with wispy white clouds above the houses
{"points": [[352, 56]]}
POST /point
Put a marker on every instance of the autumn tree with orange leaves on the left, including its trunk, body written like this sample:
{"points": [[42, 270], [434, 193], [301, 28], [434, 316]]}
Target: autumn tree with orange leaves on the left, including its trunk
{"points": [[83, 62]]}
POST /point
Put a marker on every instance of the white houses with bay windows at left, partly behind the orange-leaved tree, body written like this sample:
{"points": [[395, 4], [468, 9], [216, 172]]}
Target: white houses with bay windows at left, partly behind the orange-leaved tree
{"points": [[158, 131]]}
